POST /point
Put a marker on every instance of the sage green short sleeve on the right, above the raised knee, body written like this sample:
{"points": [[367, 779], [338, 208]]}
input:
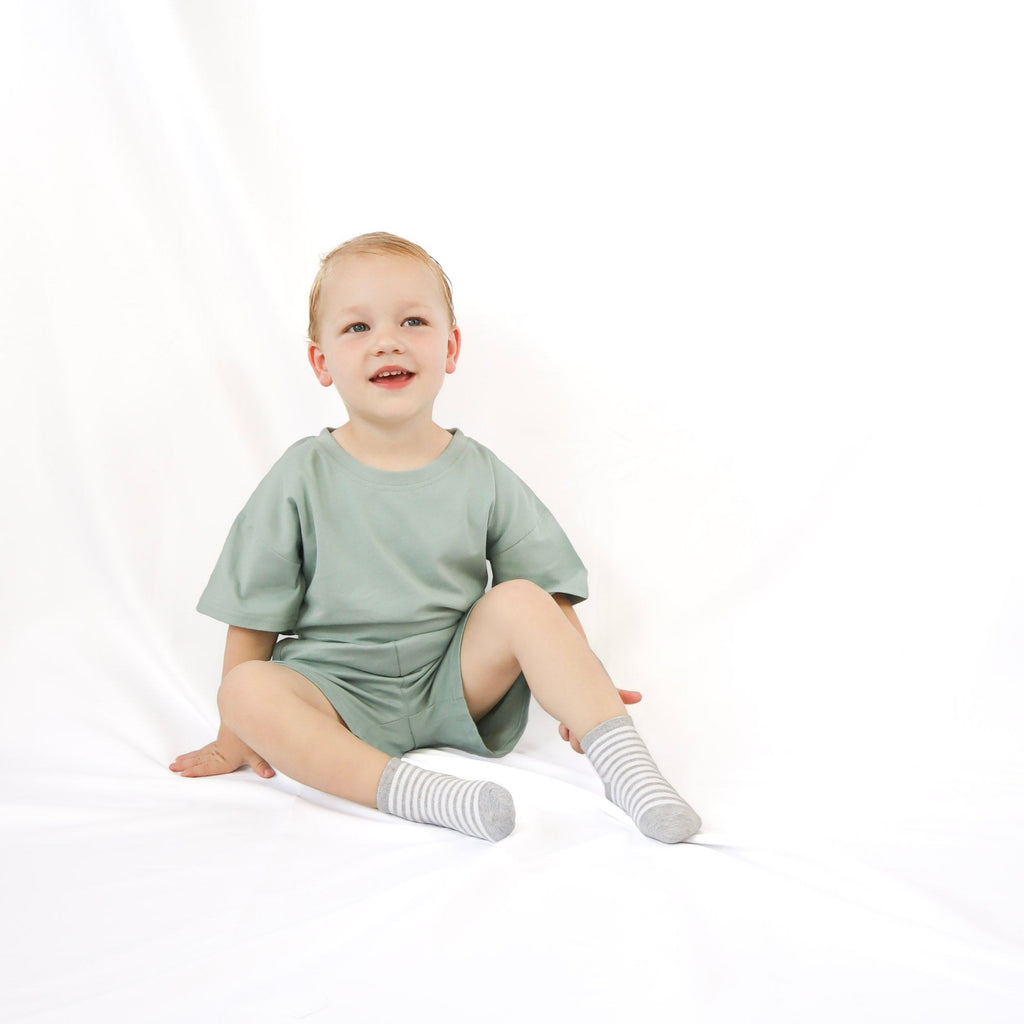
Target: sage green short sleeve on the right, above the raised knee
{"points": [[526, 542]]}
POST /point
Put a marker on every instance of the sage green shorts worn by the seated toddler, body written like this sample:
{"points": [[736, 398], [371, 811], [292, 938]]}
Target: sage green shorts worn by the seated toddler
{"points": [[407, 695]]}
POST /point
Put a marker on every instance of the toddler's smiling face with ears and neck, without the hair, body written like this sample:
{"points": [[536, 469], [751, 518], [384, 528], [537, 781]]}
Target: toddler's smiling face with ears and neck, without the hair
{"points": [[385, 315]]}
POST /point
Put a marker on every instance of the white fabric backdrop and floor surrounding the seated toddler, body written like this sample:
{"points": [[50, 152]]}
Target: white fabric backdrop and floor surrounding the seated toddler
{"points": [[740, 298]]}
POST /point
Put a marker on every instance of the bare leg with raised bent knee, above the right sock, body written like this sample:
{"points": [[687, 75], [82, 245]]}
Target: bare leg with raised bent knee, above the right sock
{"points": [[518, 627]]}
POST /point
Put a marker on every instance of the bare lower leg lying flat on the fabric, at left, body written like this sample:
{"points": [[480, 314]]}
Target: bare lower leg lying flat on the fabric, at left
{"points": [[281, 714]]}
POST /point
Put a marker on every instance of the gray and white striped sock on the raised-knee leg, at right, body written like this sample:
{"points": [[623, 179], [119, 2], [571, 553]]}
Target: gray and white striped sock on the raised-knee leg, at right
{"points": [[633, 783]]}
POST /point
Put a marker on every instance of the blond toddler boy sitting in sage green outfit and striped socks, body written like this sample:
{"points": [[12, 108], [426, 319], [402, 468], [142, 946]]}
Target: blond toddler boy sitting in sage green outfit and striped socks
{"points": [[368, 547]]}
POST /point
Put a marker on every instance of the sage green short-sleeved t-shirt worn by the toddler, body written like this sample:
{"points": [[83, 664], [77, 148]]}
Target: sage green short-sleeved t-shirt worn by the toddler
{"points": [[329, 548]]}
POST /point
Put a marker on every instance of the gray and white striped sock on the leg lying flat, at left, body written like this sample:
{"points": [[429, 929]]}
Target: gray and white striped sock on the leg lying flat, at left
{"points": [[475, 807]]}
